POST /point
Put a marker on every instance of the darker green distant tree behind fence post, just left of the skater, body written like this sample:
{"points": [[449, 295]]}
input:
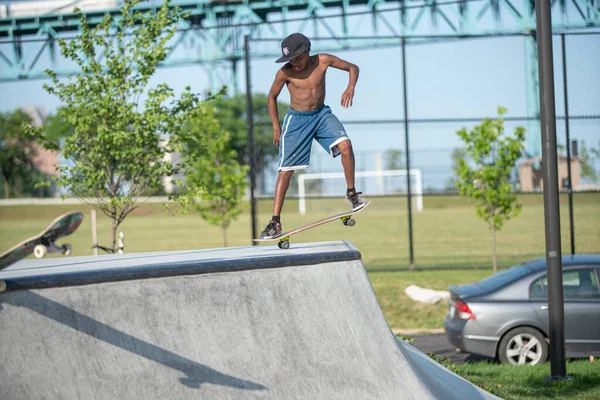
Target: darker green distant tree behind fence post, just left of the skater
{"points": [[231, 113]]}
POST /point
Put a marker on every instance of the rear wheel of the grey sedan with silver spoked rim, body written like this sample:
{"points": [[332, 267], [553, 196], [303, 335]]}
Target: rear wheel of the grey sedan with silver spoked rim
{"points": [[522, 346]]}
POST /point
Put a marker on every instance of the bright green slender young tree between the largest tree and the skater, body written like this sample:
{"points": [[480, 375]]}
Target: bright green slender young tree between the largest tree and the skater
{"points": [[214, 180]]}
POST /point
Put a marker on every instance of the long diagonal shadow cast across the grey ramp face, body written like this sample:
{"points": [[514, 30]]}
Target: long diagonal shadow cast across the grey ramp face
{"points": [[195, 373]]}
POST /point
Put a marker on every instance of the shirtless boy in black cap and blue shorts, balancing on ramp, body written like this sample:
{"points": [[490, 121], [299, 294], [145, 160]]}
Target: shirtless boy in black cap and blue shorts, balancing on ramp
{"points": [[308, 118]]}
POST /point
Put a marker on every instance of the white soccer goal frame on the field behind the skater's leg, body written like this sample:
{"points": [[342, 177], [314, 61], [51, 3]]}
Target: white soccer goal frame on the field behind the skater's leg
{"points": [[417, 184]]}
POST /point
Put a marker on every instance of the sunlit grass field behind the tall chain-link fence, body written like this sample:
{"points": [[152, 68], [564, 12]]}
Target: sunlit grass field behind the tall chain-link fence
{"points": [[446, 234]]}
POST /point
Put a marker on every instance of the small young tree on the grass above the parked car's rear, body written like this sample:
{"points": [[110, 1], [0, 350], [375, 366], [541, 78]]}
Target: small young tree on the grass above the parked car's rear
{"points": [[484, 174]]}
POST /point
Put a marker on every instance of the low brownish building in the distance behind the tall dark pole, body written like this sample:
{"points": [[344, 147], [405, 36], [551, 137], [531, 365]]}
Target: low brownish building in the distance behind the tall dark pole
{"points": [[530, 173]]}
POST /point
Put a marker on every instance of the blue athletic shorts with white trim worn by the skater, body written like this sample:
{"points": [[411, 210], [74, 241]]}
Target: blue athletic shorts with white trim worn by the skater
{"points": [[298, 131]]}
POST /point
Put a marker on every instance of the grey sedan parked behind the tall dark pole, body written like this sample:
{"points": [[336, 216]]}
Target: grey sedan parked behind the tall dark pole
{"points": [[505, 316]]}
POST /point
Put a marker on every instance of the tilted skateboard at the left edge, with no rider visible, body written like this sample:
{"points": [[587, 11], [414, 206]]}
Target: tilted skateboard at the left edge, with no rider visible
{"points": [[44, 242]]}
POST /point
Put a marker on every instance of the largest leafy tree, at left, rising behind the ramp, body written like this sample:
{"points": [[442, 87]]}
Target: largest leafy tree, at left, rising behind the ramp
{"points": [[118, 146]]}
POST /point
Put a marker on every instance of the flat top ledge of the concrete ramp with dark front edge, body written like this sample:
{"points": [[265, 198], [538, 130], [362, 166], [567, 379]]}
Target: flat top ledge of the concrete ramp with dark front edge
{"points": [[74, 271]]}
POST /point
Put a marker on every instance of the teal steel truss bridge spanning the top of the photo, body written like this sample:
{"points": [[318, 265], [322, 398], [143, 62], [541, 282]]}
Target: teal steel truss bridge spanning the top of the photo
{"points": [[213, 32]]}
